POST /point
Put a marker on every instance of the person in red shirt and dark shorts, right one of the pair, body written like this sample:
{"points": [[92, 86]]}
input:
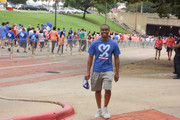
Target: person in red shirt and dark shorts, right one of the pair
{"points": [[170, 43]]}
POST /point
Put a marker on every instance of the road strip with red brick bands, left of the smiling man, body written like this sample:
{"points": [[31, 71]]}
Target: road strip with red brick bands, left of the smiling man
{"points": [[23, 71]]}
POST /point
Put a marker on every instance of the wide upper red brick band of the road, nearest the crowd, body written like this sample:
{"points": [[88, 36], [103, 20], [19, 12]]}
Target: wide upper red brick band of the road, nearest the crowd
{"points": [[27, 70]]}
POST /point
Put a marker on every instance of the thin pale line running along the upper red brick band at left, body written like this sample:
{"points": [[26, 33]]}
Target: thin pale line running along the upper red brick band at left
{"points": [[30, 65]]}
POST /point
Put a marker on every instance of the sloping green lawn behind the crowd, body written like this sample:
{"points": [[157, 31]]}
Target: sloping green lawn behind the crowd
{"points": [[91, 23]]}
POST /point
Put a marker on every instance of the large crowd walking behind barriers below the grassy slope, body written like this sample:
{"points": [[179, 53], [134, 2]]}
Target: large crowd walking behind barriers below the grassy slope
{"points": [[32, 37]]}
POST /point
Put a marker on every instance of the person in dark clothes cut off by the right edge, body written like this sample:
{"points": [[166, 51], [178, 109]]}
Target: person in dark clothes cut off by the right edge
{"points": [[177, 58]]}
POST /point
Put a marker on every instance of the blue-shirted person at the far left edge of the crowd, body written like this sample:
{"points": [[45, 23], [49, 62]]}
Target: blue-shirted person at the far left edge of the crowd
{"points": [[3, 32]]}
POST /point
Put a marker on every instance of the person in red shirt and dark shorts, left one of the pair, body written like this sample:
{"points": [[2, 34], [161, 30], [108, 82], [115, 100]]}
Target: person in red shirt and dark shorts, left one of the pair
{"points": [[158, 46]]}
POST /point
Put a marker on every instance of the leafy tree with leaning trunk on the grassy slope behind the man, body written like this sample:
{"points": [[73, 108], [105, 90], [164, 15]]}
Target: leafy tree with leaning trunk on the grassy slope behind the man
{"points": [[80, 4]]}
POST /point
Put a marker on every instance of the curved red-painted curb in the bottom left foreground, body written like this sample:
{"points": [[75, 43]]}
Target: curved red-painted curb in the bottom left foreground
{"points": [[64, 113]]}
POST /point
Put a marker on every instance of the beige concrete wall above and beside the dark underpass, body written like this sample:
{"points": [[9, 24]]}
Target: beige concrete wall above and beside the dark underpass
{"points": [[139, 21]]}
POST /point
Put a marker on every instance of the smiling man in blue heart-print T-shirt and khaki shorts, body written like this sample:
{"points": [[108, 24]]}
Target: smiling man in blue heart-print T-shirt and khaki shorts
{"points": [[103, 48]]}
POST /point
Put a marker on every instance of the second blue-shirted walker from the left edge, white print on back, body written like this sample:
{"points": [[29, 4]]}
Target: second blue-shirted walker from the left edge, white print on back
{"points": [[10, 36]]}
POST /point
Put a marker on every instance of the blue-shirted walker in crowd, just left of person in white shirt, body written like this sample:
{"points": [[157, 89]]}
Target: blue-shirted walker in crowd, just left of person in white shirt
{"points": [[33, 40]]}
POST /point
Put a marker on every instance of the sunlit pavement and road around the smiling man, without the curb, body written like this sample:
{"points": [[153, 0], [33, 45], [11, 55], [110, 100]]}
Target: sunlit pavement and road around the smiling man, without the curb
{"points": [[34, 79]]}
